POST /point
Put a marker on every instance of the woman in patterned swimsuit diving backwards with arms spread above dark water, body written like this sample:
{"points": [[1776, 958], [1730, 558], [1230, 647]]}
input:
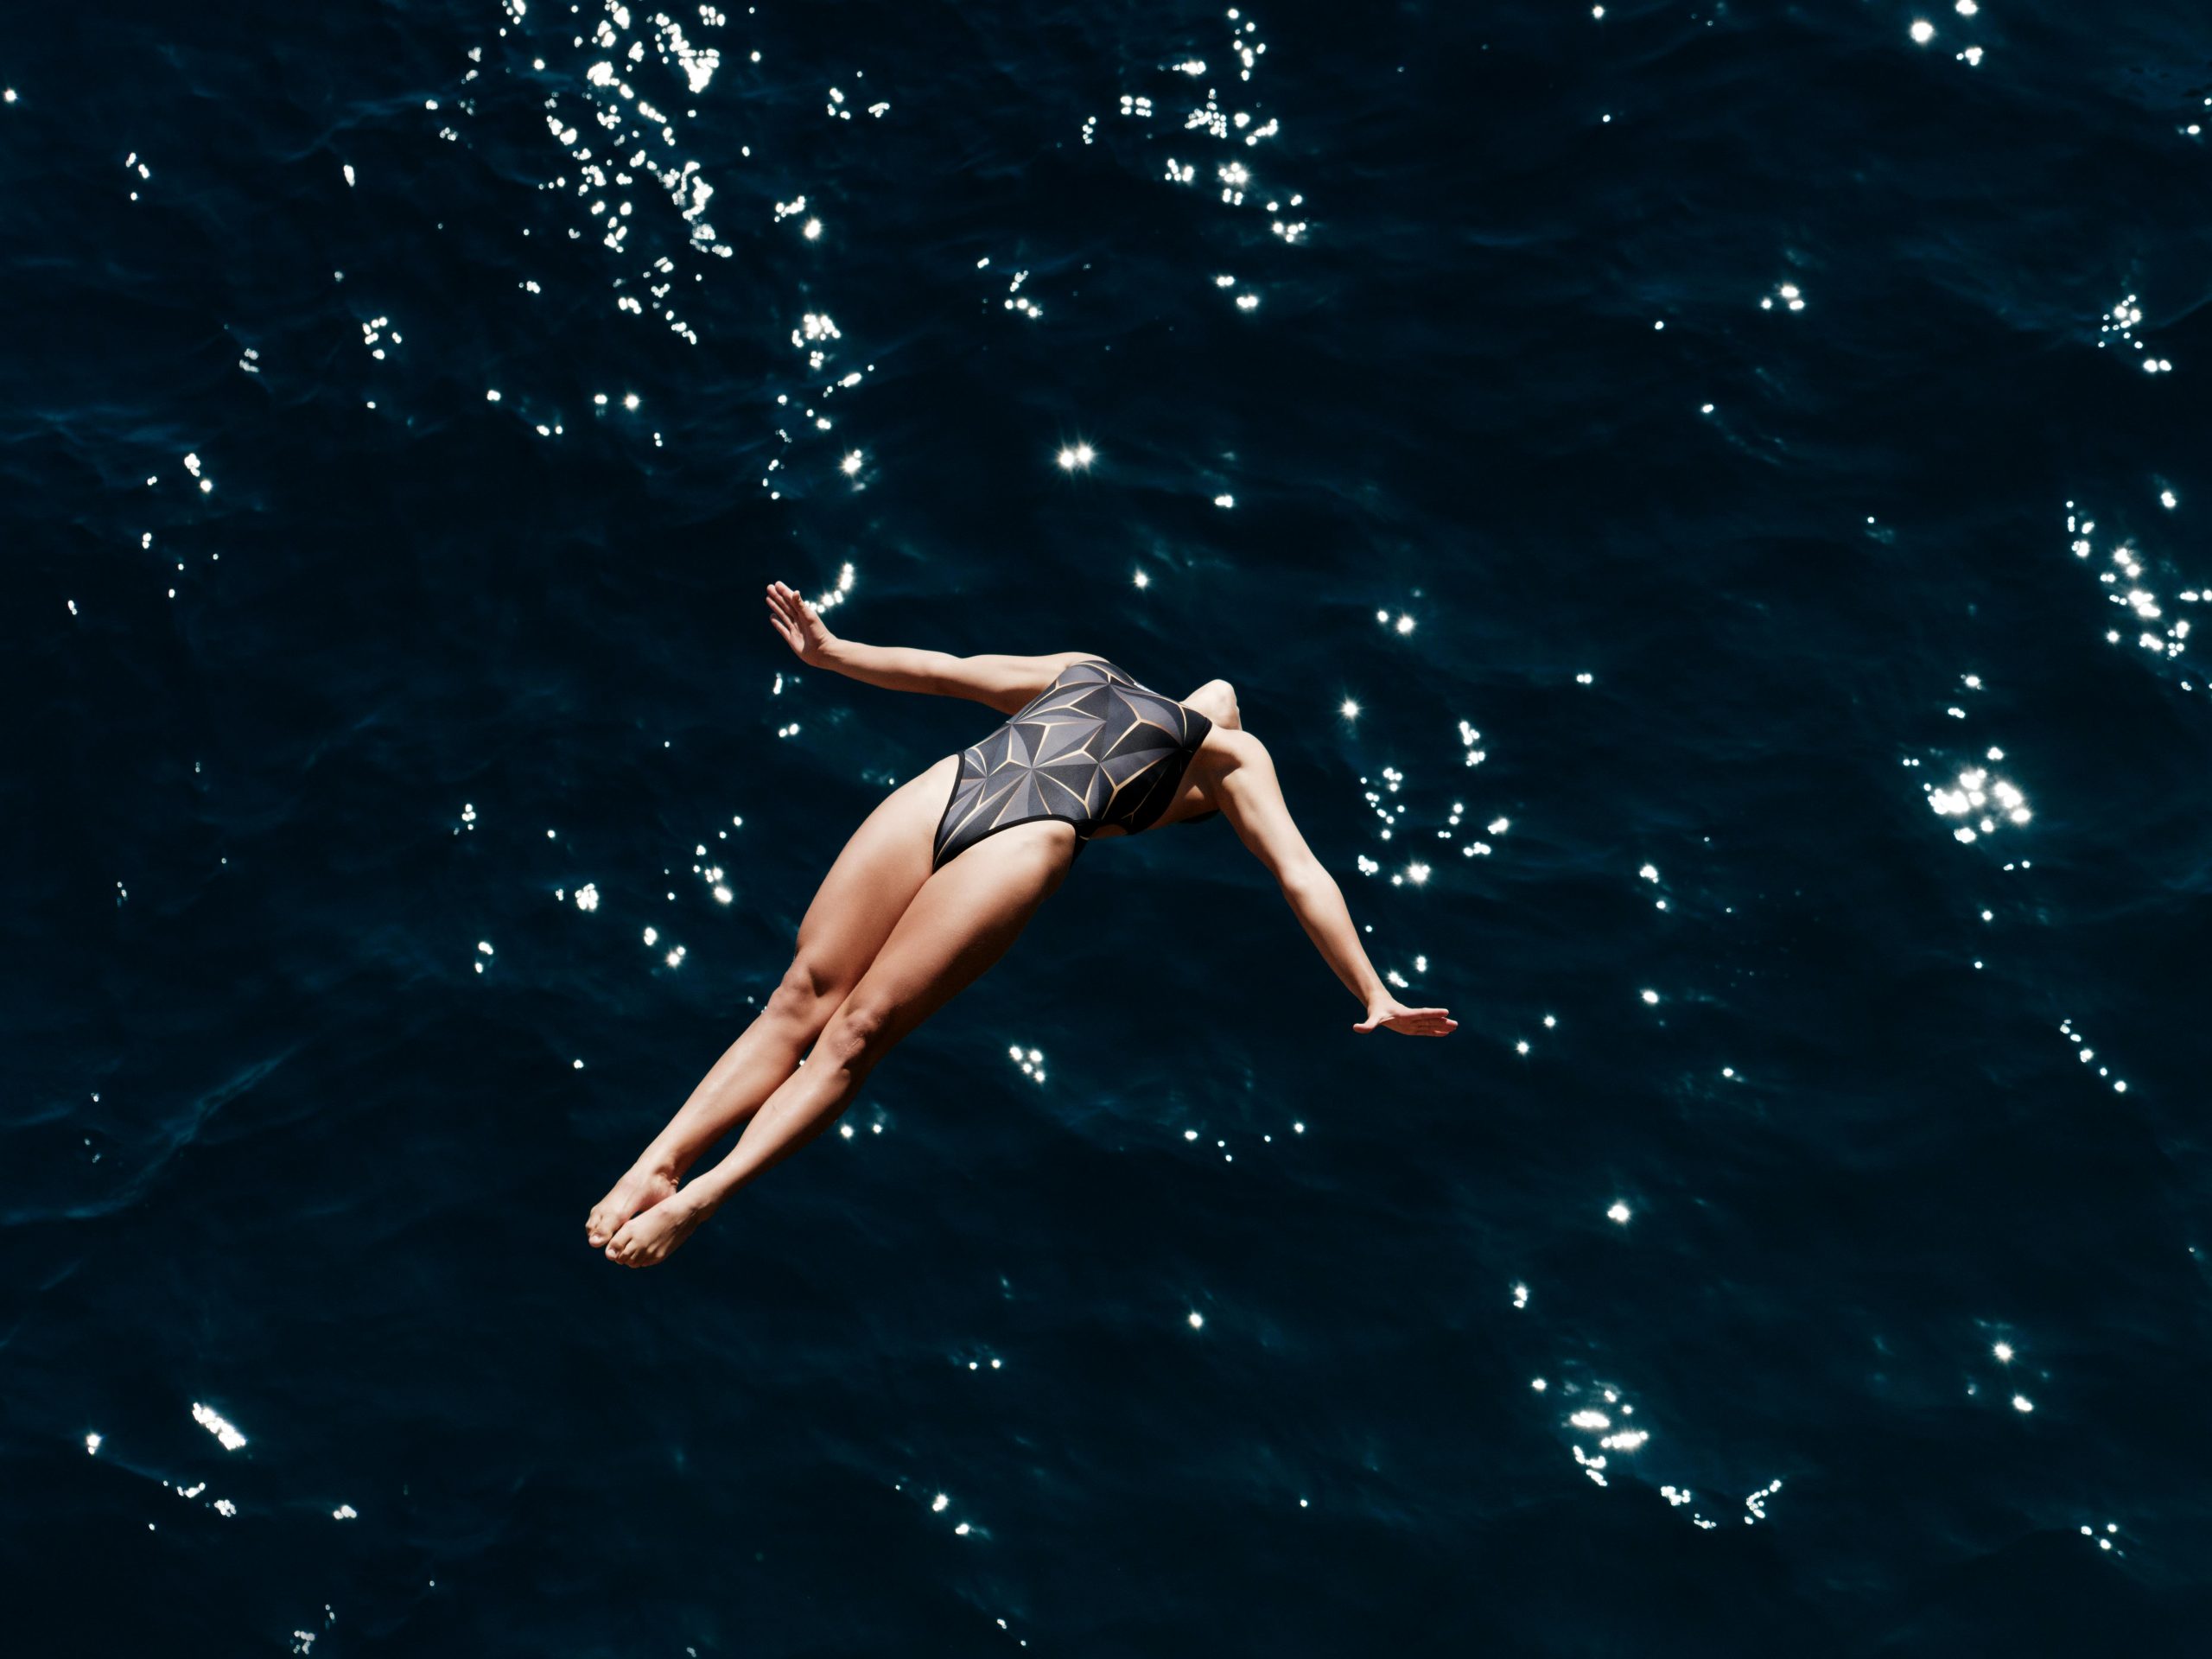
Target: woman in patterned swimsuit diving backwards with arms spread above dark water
{"points": [[941, 877]]}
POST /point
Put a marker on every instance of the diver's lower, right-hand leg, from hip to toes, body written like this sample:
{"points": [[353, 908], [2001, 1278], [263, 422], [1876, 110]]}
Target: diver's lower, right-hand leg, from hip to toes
{"points": [[959, 926]]}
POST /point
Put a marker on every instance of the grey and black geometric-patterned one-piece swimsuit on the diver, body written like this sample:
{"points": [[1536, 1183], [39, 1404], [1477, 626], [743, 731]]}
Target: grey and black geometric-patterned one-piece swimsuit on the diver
{"points": [[1094, 749]]}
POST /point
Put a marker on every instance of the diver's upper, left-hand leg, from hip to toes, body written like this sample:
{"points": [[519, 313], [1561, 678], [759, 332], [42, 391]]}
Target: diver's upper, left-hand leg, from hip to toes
{"points": [[853, 915]]}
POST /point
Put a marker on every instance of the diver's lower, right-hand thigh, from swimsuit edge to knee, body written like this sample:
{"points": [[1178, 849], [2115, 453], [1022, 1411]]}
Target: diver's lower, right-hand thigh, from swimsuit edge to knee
{"points": [[959, 924]]}
